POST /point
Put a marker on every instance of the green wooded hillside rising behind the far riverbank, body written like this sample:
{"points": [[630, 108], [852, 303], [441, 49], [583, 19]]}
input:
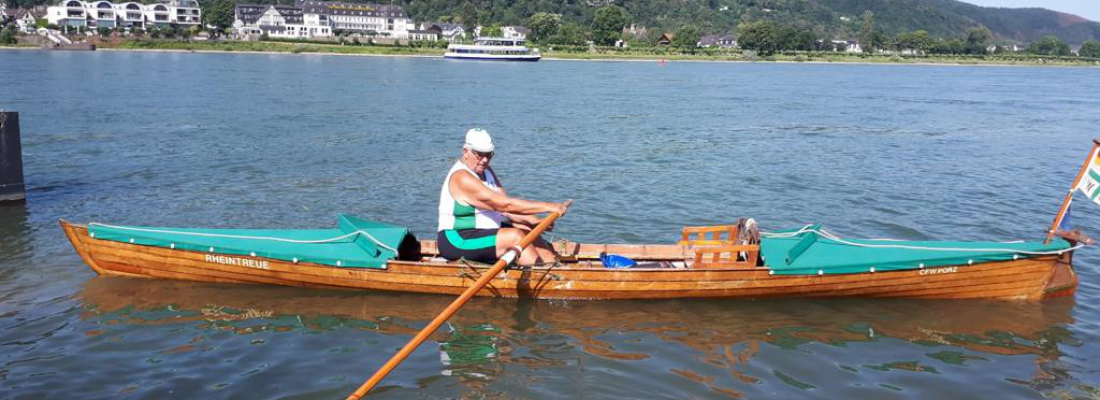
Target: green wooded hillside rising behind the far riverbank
{"points": [[831, 19]]}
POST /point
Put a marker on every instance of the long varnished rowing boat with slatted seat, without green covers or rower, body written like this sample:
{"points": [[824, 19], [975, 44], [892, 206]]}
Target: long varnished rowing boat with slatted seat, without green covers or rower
{"points": [[700, 266]]}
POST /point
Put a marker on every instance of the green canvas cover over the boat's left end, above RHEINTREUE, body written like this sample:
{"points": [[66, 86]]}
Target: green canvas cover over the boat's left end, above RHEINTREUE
{"points": [[357, 251]]}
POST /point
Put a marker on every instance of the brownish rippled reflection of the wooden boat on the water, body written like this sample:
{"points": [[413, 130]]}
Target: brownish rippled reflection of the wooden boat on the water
{"points": [[742, 346]]}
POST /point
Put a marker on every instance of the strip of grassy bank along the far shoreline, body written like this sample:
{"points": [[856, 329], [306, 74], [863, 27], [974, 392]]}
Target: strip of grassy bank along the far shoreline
{"points": [[588, 53]]}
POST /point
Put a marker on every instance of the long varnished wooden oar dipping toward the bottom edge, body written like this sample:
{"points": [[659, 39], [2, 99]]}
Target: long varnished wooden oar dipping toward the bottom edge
{"points": [[508, 259]]}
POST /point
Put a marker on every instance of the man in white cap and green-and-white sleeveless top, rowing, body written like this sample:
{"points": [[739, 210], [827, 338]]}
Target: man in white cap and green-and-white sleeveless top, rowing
{"points": [[478, 220]]}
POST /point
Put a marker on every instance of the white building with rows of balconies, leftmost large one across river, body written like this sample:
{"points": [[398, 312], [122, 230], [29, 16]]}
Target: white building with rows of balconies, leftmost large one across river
{"points": [[103, 14]]}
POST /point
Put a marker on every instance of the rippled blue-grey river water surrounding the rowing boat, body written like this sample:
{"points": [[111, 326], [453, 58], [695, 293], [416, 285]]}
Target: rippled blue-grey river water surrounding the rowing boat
{"points": [[290, 141]]}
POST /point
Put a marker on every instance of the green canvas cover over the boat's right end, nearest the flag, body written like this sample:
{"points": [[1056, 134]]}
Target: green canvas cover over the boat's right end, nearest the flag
{"points": [[810, 253]]}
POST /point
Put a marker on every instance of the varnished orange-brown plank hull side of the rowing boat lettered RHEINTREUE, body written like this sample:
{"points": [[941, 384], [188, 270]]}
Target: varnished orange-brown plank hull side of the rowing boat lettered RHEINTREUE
{"points": [[1024, 280]]}
